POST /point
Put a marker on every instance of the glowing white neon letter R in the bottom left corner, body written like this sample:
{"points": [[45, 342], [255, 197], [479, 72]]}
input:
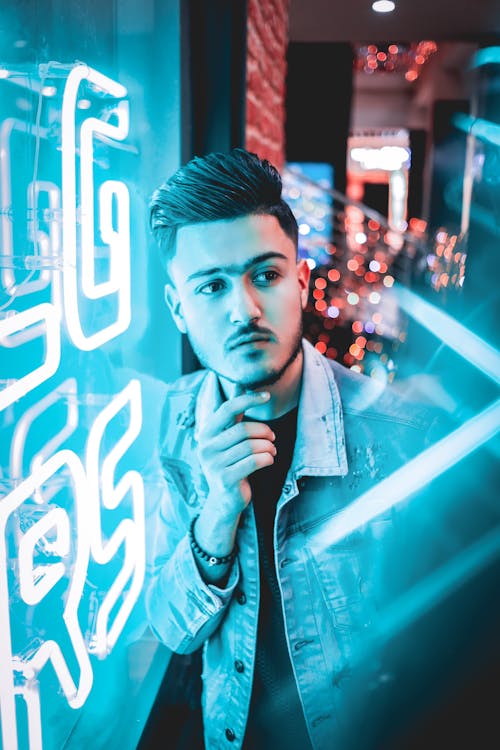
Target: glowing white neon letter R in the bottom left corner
{"points": [[49, 650]]}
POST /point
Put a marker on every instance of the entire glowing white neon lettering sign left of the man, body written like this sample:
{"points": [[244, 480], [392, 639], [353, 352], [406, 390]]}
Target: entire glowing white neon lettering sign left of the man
{"points": [[72, 518]]}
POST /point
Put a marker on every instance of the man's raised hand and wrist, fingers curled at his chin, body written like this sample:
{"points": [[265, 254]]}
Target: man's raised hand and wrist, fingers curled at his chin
{"points": [[229, 450]]}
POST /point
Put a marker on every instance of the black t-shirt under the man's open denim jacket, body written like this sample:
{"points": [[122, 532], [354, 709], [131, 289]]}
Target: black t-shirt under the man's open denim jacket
{"points": [[276, 719]]}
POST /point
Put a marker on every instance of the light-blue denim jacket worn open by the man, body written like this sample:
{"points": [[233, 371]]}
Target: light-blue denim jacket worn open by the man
{"points": [[351, 433]]}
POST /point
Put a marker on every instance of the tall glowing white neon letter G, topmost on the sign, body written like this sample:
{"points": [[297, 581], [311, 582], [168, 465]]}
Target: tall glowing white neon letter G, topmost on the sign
{"points": [[119, 281]]}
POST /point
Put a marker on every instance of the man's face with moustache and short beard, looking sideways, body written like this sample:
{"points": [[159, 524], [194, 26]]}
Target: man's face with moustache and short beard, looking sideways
{"points": [[238, 292]]}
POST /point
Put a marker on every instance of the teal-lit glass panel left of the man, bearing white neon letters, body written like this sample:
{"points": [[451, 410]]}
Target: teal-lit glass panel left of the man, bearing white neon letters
{"points": [[89, 125]]}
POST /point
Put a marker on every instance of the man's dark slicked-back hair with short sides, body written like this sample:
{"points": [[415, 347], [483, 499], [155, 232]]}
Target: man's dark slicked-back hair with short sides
{"points": [[214, 187]]}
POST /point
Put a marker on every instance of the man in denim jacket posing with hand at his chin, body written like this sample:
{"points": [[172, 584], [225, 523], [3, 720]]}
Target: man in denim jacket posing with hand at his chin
{"points": [[260, 451]]}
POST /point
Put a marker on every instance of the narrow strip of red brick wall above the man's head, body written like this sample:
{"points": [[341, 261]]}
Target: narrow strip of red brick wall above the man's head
{"points": [[267, 40]]}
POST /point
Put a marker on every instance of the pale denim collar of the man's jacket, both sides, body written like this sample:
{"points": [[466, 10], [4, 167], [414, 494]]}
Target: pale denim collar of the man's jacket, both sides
{"points": [[320, 444]]}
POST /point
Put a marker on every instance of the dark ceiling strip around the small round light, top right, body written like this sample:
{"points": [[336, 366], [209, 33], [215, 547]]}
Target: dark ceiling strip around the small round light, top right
{"points": [[412, 20]]}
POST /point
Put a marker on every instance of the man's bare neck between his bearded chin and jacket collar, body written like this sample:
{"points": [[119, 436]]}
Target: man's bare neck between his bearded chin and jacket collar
{"points": [[284, 393]]}
